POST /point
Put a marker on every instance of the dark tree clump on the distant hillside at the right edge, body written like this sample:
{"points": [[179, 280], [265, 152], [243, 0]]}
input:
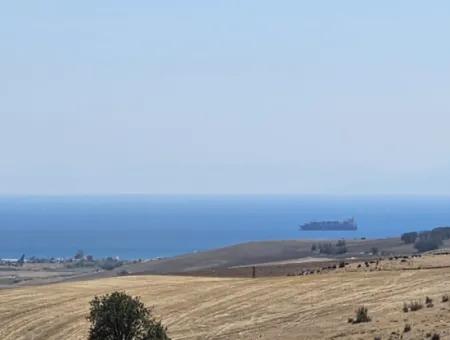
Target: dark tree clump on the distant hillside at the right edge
{"points": [[427, 240]]}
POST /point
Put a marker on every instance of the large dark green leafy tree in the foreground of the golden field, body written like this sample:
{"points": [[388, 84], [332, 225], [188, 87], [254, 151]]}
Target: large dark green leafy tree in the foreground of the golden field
{"points": [[118, 316]]}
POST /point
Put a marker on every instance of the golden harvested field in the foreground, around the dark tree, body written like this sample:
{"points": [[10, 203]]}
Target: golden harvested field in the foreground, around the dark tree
{"points": [[306, 307]]}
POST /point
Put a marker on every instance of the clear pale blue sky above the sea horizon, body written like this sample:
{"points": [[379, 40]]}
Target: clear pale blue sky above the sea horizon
{"points": [[336, 97]]}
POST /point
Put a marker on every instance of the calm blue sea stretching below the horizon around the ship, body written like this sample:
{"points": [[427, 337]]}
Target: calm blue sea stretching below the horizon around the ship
{"points": [[134, 227]]}
